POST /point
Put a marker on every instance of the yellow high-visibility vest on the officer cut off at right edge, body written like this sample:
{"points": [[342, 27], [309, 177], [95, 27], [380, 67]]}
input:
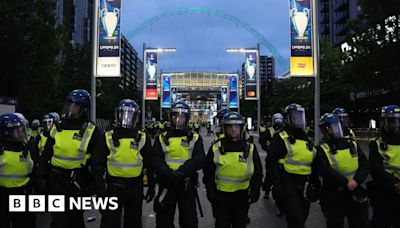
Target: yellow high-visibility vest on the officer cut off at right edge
{"points": [[391, 157]]}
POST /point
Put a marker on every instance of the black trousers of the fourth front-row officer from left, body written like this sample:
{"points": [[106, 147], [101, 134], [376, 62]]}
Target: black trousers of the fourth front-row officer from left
{"points": [[165, 210]]}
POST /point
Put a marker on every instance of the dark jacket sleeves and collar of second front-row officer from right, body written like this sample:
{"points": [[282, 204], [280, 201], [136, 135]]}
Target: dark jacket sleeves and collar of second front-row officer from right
{"points": [[331, 177]]}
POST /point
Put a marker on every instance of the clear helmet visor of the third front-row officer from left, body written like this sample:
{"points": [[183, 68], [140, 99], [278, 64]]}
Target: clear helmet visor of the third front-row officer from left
{"points": [[126, 117]]}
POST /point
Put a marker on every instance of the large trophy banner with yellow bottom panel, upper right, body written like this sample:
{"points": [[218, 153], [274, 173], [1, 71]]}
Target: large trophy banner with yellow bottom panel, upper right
{"points": [[301, 59]]}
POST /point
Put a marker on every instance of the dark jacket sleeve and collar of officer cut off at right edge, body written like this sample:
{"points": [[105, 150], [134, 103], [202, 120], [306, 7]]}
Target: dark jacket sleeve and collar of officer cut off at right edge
{"points": [[382, 178]]}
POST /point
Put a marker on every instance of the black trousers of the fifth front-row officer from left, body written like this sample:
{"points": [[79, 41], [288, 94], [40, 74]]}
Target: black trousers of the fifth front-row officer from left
{"points": [[231, 209]]}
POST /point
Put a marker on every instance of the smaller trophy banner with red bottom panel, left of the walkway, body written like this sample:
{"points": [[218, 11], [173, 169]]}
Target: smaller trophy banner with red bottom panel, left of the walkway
{"points": [[151, 75]]}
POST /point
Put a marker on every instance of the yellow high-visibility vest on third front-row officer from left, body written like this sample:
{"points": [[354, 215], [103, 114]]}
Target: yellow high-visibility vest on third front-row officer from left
{"points": [[125, 160]]}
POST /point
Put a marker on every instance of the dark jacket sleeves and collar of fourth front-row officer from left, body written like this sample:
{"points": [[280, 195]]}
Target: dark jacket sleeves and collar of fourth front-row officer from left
{"points": [[189, 169]]}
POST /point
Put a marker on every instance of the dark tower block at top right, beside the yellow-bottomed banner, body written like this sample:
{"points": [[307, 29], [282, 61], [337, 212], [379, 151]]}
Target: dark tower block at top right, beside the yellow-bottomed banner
{"points": [[333, 18]]}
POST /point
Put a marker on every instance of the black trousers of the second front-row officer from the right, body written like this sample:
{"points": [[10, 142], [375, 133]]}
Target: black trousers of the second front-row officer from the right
{"points": [[337, 204]]}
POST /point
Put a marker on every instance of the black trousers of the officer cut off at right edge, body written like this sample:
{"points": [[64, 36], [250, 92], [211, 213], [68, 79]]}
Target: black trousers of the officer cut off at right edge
{"points": [[386, 209]]}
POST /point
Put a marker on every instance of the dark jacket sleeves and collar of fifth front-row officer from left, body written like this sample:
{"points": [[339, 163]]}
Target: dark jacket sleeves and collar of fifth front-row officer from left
{"points": [[209, 169]]}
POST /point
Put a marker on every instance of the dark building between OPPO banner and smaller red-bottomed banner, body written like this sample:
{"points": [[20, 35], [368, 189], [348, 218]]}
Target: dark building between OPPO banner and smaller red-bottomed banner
{"points": [[131, 69]]}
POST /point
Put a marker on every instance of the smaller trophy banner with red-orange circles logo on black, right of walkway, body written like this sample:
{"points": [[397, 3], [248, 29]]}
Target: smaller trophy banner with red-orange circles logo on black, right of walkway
{"points": [[250, 76]]}
